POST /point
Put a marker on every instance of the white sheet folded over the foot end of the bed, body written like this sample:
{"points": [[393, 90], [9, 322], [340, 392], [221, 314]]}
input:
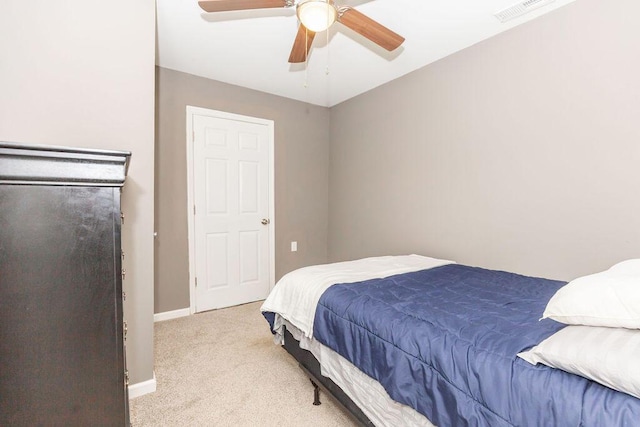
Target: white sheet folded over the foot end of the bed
{"points": [[297, 293]]}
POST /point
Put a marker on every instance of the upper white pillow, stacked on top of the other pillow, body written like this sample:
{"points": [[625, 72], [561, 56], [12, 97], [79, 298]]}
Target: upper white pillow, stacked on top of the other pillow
{"points": [[610, 298]]}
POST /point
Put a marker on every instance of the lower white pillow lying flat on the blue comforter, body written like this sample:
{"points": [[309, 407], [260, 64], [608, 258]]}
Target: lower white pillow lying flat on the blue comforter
{"points": [[608, 356]]}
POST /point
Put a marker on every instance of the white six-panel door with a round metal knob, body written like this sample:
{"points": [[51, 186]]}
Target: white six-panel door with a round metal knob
{"points": [[232, 198]]}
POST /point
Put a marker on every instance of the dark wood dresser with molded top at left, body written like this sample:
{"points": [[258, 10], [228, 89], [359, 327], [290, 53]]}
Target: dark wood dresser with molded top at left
{"points": [[62, 352]]}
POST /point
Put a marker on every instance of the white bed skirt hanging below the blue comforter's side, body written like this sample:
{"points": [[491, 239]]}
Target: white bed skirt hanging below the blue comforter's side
{"points": [[365, 392]]}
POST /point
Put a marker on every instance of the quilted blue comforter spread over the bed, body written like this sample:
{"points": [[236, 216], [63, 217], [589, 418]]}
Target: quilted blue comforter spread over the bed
{"points": [[444, 341]]}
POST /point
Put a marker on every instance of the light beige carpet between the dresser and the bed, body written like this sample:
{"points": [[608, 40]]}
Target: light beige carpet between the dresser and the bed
{"points": [[221, 368]]}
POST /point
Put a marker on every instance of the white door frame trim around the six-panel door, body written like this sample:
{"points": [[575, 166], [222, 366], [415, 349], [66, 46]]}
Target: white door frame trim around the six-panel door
{"points": [[198, 111]]}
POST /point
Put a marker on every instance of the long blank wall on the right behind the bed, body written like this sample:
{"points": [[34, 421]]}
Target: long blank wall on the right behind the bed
{"points": [[519, 153]]}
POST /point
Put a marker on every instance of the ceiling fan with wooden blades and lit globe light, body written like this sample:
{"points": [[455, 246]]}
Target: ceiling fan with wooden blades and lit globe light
{"points": [[314, 16]]}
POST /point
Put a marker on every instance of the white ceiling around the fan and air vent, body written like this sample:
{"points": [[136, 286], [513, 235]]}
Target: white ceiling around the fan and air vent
{"points": [[251, 48]]}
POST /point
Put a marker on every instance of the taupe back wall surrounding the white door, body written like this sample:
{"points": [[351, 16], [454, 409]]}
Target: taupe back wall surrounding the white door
{"points": [[301, 181]]}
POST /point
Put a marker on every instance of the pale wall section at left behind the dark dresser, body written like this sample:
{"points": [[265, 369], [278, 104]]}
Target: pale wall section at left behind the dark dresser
{"points": [[80, 74]]}
